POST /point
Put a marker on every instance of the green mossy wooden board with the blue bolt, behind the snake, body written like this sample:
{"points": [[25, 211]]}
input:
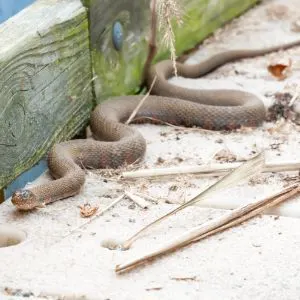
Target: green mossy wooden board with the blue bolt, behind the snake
{"points": [[119, 72]]}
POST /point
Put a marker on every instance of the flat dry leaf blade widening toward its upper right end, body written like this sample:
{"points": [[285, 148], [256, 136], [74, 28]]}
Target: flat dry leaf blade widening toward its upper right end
{"points": [[249, 168]]}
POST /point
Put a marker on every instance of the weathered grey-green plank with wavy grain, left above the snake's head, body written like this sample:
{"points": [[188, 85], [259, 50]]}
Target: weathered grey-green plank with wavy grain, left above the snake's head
{"points": [[45, 81]]}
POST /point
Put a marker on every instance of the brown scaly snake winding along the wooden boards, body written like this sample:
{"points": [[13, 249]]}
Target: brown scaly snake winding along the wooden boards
{"points": [[115, 144]]}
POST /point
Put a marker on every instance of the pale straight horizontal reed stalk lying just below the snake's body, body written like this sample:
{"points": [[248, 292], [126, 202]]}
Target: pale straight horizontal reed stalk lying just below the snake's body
{"points": [[207, 170]]}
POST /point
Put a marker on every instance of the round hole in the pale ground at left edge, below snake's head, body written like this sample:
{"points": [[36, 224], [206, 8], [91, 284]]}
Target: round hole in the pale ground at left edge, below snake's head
{"points": [[10, 236]]}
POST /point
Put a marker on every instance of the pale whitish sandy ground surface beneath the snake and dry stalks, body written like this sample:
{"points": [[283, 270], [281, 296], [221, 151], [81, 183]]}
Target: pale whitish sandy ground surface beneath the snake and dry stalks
{"points": [[257, 260]]}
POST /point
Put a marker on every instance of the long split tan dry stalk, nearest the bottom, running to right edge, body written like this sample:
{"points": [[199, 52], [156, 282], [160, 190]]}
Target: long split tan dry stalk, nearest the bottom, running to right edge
{"points": [[209, 228]]}
